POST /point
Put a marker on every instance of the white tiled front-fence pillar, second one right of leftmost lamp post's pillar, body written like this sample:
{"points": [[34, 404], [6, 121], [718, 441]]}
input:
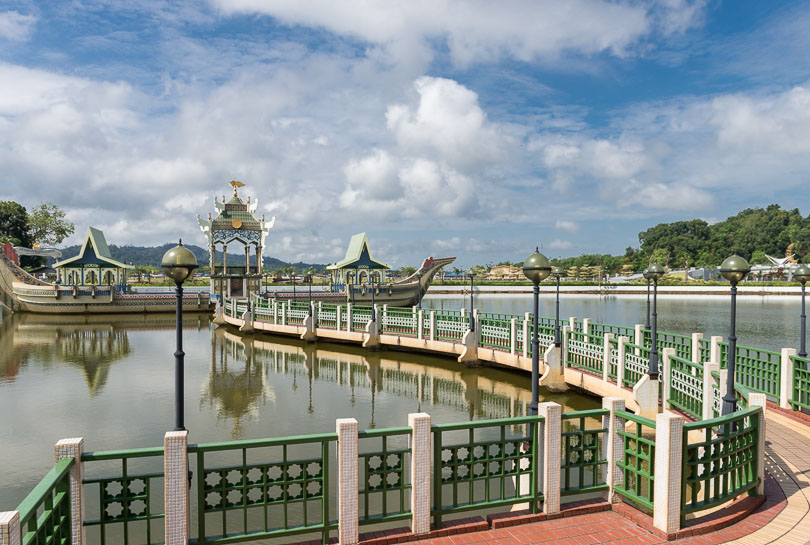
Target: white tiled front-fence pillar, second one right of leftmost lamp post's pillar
{"points": [[421, 472]]}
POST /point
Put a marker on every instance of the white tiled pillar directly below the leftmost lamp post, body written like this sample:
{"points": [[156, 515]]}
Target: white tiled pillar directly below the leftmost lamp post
{"points": [[175, 487]]}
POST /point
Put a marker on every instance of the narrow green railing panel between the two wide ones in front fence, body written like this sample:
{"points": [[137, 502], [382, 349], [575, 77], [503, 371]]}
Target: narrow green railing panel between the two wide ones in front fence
{"points": [[385, 475]]}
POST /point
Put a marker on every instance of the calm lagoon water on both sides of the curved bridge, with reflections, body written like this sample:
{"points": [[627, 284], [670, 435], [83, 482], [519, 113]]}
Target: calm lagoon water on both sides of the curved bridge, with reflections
{"points": [[110, 379]]}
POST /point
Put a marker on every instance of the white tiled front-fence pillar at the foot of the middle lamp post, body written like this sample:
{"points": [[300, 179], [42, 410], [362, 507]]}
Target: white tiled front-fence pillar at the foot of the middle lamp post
{"points": [[549, 433]]}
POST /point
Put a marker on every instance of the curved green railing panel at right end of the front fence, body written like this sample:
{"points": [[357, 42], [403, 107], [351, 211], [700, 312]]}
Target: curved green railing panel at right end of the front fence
{"points": [[723, 463]]}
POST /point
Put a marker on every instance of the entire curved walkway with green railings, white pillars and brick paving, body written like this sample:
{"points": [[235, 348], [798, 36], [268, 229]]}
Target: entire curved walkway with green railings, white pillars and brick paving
{"points": [[656, 462]]}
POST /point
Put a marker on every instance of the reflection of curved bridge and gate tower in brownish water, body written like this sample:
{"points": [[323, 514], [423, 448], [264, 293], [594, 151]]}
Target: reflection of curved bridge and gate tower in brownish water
{"points": [[240, 380]]}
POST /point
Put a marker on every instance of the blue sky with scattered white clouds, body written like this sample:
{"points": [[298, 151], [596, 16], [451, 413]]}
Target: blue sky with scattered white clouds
{"points": [[473, 129]]}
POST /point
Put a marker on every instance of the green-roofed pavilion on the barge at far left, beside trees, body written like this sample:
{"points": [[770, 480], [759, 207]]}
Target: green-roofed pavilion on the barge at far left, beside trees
{"points": [[94, 265]]}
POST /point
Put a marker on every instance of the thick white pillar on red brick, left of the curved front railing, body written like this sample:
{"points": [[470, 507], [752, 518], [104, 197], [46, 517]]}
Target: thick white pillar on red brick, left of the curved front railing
{"points": [[668, 472]]}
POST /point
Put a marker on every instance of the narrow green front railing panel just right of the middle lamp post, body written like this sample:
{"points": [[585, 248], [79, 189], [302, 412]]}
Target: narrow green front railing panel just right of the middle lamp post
{"points": [[582, 460]]}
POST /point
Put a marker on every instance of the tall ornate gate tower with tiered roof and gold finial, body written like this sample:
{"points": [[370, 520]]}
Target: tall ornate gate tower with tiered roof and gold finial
{"points": [[235, 222]]}
